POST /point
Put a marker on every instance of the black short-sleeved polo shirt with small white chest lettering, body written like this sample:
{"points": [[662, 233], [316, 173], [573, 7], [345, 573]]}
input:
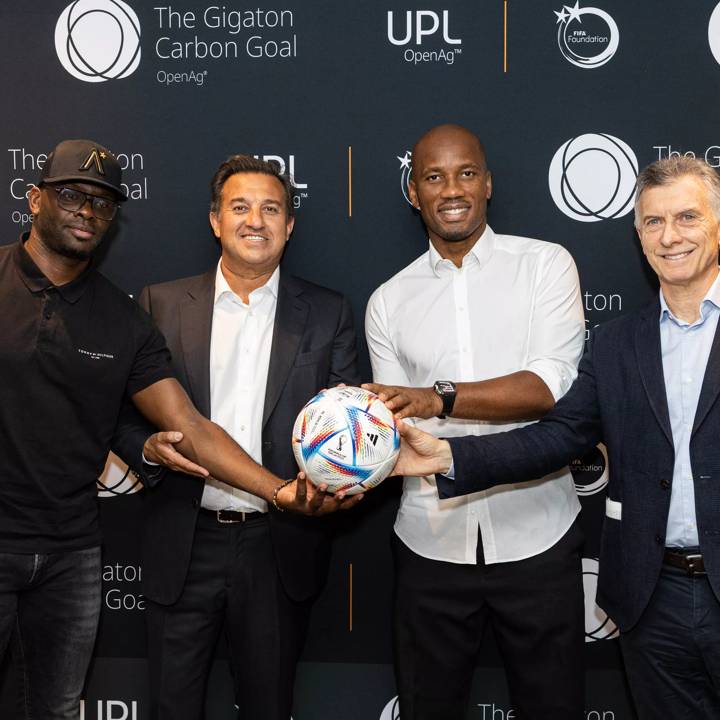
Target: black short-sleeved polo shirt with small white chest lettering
{"points": [[68, 356]]}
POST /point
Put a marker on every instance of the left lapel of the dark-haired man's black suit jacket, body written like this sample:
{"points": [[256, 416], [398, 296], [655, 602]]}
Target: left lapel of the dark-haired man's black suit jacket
{"points": [[195, 328]]}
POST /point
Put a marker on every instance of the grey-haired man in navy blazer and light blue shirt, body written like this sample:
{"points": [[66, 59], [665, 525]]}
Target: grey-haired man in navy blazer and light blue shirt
{"points": [[648, 388]]}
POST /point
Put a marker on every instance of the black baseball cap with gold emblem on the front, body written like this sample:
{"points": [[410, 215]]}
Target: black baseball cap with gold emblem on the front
{"points": [[83, 161]]}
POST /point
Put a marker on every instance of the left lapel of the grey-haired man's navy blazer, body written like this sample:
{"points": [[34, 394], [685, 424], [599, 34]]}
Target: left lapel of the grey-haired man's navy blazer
{"points": [[649, 359]]}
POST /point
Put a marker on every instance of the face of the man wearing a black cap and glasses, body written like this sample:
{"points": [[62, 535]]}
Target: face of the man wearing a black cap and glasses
{"points": [[73, 234]]}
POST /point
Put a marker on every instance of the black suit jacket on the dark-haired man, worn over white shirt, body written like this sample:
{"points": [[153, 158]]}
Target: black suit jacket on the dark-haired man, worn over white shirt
{"points": [[313, 347]]}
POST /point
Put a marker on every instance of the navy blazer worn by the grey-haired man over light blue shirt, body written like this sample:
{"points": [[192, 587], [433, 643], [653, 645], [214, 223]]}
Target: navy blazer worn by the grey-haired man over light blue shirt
{"points": [[618, 398]]}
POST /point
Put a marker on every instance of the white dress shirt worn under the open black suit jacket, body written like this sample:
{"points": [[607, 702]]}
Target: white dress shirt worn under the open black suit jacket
{"points": [[239, 360]]}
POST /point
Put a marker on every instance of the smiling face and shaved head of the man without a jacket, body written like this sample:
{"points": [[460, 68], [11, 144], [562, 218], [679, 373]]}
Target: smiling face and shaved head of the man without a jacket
{"points": [[450, 186]]}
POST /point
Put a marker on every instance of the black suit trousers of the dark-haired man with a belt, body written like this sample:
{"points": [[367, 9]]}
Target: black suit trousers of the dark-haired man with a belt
{"points": [[232, 583]]}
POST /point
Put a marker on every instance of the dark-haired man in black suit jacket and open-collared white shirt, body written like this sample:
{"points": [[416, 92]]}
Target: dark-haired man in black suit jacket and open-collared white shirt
{"points": [[251, 344]]}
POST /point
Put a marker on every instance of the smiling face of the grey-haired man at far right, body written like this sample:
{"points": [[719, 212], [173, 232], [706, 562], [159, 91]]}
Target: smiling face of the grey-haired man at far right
{"points": [[679, 234]]}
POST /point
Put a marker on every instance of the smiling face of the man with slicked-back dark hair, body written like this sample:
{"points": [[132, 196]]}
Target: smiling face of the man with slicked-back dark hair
{"points": [[252, 223]]}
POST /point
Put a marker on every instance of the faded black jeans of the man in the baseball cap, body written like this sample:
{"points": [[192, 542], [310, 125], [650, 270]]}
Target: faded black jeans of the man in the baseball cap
{"points": [[54, 603]]}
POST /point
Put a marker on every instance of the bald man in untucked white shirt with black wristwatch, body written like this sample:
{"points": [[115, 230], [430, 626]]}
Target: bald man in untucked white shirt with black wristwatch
{"points": [[480, 334]]}
